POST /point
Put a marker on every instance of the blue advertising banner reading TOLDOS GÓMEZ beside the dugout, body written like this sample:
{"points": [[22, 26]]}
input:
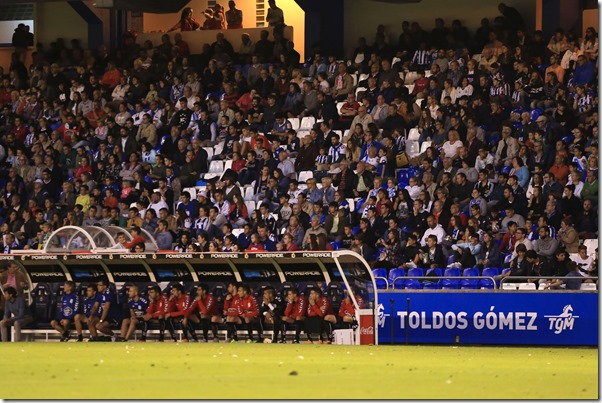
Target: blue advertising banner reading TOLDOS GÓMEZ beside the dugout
{"points": [[548, 318]]}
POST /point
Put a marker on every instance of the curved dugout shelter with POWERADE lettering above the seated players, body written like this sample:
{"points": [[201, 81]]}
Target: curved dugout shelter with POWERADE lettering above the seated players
{"points": [[331, 271]]}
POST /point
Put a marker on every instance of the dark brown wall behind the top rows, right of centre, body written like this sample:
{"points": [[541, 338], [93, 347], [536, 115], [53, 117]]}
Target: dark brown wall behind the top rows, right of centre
{"points": [[363, 16]]}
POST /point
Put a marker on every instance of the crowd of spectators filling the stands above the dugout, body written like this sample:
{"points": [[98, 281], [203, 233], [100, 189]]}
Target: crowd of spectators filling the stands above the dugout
{"points": [[440, 149]]}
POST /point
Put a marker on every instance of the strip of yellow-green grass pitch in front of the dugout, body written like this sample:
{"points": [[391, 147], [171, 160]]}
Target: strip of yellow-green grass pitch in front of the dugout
{"points": [[251, 371]]}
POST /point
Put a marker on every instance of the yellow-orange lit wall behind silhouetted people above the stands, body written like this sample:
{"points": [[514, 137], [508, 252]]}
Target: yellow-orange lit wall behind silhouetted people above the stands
{"points": [[293, 15]]}
